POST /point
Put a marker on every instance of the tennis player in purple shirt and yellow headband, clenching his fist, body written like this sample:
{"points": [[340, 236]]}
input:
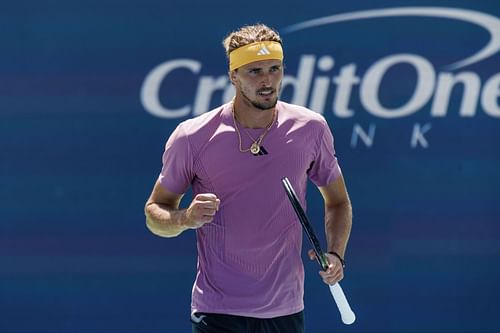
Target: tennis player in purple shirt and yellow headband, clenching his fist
{"points": [[250, 274]]}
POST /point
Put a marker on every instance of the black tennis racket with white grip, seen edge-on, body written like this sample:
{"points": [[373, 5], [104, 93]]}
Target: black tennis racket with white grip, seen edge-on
{"points": [[346, 313]]}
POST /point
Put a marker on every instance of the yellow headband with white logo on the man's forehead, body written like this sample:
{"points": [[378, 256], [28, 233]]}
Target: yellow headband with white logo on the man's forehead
{"points": [[255, 52]]}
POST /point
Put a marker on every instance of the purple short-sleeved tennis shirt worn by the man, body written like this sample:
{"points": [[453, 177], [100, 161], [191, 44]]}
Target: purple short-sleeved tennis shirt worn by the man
{"points": [[249, 256]]}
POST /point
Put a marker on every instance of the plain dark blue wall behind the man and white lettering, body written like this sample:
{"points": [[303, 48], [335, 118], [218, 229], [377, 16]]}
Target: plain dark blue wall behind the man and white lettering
{"points": [[79, 154]]}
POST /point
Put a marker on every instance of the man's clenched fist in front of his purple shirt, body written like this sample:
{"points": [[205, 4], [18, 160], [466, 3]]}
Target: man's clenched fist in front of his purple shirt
{"points": [[201, 210]]}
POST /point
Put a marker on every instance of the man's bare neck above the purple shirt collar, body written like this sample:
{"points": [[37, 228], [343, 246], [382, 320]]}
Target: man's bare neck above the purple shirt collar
{"points": [[251, 117]]}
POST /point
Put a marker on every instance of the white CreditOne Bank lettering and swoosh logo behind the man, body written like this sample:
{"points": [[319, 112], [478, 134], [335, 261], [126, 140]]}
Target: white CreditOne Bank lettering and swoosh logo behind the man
{"points": [[348, 89]]}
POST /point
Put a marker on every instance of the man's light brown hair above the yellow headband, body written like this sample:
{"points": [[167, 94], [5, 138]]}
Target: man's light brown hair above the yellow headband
{"points": [[249, 34]]}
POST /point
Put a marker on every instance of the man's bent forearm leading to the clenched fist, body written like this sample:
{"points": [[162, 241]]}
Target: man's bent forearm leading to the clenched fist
{"points": [[165, 221]]}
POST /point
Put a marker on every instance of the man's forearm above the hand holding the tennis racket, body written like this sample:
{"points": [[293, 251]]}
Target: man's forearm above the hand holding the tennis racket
{"points": [[338, 222]]}
